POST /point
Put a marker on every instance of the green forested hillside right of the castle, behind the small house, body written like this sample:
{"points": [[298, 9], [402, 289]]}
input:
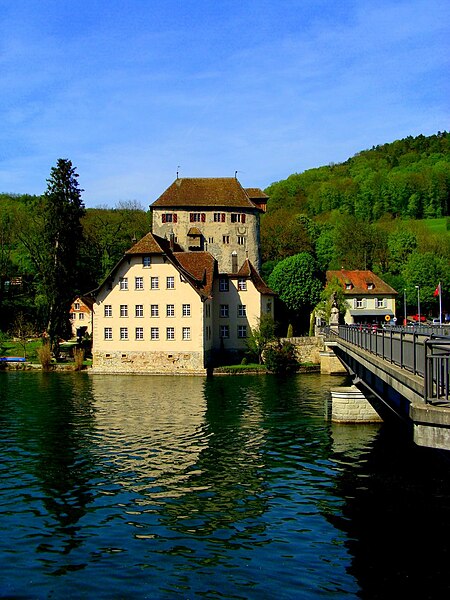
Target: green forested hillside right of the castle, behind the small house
{"points": [[385, 209]]}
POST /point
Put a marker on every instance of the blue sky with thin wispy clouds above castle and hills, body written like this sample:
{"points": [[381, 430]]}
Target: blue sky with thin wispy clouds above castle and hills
{"points": [[131, 90]]}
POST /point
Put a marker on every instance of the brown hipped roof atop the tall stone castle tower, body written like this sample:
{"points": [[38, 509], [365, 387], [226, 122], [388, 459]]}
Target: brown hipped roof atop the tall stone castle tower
{"points": [[206, 192]]}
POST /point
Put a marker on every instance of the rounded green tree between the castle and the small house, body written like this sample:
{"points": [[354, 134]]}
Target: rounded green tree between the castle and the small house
{"points": [[298, 284]]}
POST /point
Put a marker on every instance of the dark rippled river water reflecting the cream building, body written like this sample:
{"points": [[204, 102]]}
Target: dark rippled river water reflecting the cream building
{"points": [[229, 487]]}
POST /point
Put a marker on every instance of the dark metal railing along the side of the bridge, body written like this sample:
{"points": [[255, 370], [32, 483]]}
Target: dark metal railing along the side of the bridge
{"points": [[415, 351]]}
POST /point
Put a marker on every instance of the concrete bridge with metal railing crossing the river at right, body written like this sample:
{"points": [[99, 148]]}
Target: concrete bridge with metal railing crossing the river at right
{"points": [[403, 373]]}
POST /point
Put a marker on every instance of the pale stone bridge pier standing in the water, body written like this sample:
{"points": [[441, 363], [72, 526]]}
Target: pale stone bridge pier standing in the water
{"points": [[349, 405]]}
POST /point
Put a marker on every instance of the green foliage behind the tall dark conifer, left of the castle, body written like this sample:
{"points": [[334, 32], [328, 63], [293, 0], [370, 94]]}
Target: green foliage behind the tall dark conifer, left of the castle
{"points": [[98, 237]]}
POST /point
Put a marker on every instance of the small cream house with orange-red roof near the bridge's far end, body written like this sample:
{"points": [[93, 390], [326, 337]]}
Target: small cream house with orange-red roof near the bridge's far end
{"points": [[370, 299]]}
